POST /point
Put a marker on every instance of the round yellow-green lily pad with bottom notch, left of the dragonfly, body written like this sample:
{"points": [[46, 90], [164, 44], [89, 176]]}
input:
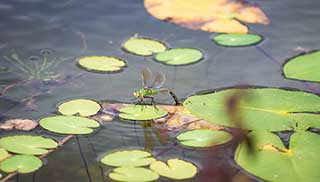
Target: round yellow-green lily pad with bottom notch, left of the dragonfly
{"points": [[83, 107]]}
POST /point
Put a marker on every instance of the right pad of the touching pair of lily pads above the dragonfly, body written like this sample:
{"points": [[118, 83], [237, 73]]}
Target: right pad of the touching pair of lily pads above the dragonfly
{"points": [[179, 56]]}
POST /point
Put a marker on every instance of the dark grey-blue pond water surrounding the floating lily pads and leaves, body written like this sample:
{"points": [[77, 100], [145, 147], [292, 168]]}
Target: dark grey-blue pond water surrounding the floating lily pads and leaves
{"points": [[74, 28]]}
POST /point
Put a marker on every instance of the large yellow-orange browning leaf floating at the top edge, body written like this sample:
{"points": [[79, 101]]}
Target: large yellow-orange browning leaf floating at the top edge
{"points": [[207, 15]]}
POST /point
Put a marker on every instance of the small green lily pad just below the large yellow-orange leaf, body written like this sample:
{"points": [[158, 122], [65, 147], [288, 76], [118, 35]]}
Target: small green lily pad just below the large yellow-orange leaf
{"points": [[237, 40]]}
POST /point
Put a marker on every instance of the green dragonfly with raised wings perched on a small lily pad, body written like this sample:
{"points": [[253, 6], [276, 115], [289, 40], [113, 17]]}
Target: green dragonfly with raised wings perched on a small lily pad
{"points": [[152, 85]]}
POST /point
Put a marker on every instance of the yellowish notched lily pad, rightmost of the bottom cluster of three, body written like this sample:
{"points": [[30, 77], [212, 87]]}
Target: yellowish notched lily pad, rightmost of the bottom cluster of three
{"points": [[174, 169]]}
